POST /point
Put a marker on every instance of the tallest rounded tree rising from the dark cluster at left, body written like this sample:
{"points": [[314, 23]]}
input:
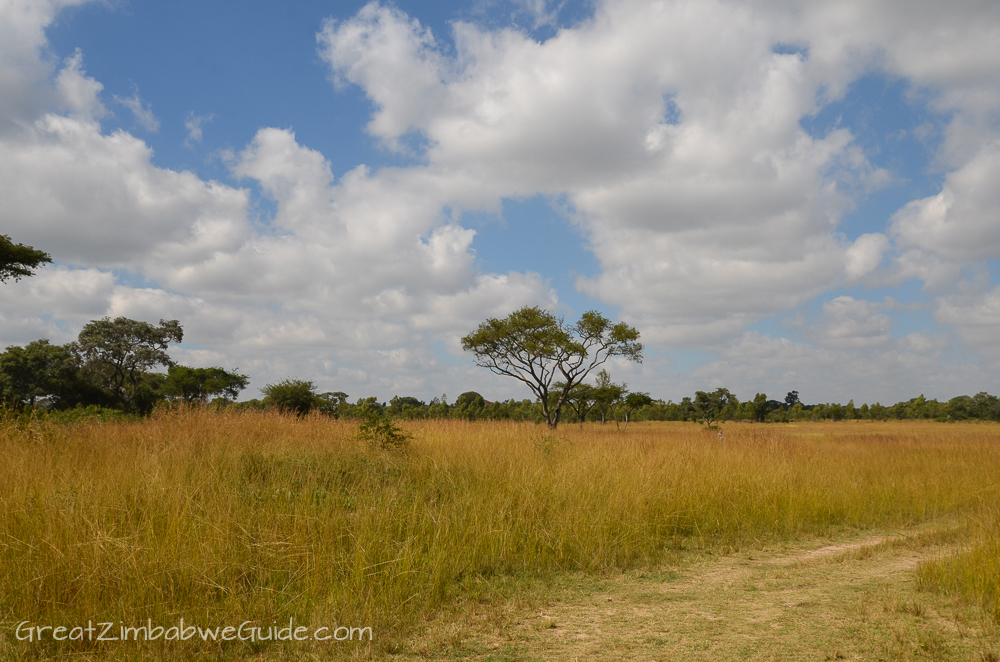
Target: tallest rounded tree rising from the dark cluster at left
{"points": [[117, 354]]}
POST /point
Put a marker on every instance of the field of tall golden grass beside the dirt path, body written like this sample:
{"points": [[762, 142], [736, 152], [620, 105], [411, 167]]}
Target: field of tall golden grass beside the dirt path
{"points": [[221, 518]]}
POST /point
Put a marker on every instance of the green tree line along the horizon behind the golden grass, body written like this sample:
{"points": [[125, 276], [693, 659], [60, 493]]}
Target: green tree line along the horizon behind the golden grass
{"points": [[123, 365]]}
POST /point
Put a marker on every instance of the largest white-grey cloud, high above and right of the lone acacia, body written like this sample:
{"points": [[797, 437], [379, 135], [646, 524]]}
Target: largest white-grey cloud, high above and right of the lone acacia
{"points": [[678, 149]]}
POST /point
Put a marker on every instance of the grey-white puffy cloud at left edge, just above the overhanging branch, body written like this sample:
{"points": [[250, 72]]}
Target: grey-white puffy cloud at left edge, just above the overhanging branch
{"points": [[96, 199]]}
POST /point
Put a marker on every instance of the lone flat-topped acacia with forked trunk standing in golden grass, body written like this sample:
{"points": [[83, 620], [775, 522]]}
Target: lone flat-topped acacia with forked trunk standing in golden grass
{"points": [[537, 348]]}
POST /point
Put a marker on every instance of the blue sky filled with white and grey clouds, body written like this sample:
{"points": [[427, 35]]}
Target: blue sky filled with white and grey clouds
{"points": [[778, 194]]}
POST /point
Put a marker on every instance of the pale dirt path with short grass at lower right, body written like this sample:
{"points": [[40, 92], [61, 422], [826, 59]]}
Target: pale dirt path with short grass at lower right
{"points": [[855, 599]]}
